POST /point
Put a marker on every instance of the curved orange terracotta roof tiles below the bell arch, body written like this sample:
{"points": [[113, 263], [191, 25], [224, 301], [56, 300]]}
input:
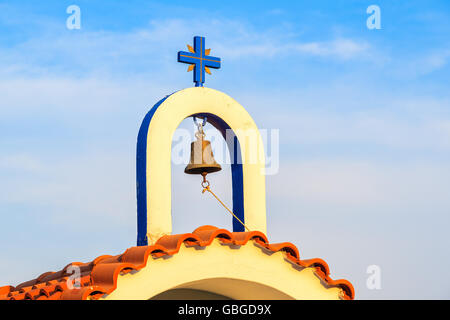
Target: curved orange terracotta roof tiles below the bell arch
{"points": [[99, 277]]}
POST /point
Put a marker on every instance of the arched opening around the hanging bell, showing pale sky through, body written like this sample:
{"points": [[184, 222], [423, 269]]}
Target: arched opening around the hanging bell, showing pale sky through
{"points": [[191, 207]]}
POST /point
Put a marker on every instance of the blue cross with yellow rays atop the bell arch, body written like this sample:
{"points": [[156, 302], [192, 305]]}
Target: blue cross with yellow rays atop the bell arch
{"points": [[199, 59]]}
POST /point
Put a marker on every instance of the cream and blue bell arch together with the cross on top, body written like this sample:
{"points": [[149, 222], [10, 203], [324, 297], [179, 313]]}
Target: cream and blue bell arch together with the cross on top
{"points": [[153, 157]]}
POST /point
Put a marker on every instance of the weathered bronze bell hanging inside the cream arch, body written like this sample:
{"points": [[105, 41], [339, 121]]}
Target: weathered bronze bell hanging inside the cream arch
{"points": [[202, 159]]}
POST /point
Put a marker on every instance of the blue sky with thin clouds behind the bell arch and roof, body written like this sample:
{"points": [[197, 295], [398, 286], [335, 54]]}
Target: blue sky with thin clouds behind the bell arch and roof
{"points": [[364, 120]]}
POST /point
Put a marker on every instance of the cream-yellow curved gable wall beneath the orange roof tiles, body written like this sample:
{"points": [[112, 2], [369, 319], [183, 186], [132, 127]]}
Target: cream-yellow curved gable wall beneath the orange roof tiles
{"points": [[245, 272]]}
